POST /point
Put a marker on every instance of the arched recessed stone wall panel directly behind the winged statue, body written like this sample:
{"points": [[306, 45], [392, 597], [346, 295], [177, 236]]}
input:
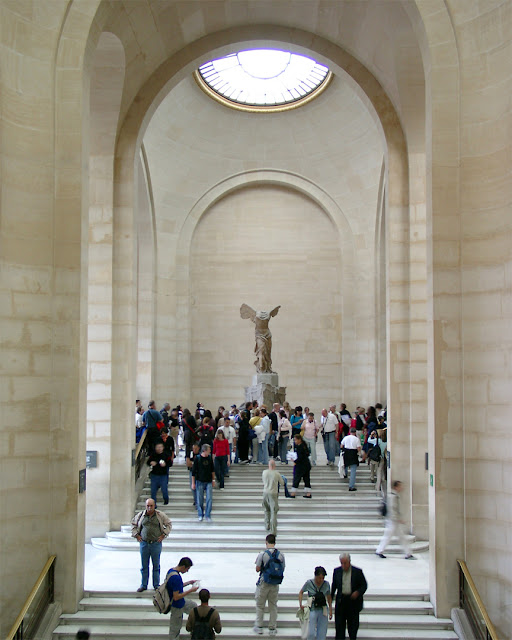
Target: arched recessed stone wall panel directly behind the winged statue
{"points": [[266, 246]]}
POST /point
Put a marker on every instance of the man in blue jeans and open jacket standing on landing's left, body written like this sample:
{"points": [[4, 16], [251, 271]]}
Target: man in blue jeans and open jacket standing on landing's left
{"points": [[150, 527]]}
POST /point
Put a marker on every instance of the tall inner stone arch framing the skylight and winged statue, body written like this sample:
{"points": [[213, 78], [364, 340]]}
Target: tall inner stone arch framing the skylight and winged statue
{"points": [[380, 107]]}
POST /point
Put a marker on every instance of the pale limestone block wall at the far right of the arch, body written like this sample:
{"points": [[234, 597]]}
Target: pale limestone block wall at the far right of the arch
{"points": [[485, 35]]}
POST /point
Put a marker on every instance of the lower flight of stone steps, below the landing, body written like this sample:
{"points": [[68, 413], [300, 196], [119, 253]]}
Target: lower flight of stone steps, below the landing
{"points": [[120, 616]]}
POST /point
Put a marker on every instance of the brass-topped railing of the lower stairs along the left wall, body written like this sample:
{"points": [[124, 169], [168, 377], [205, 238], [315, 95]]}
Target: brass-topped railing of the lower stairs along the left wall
{"points": [[36, 604]]}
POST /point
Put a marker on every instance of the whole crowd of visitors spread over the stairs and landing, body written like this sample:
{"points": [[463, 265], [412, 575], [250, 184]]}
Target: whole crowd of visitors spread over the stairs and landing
{"points": [[250, 434]]}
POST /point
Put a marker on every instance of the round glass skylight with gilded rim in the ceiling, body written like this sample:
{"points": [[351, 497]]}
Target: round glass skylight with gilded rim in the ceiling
{"points": [[263, 79]]}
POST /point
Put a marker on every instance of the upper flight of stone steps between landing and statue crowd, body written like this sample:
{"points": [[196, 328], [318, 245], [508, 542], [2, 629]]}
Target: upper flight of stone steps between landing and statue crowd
{"points": [[349, 521]]}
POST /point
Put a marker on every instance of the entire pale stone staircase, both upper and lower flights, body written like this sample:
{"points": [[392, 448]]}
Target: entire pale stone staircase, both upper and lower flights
{"points": [[334, 519]]}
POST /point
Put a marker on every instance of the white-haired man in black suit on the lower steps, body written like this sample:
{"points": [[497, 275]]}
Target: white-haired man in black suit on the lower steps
{"points": [[347, 589]]}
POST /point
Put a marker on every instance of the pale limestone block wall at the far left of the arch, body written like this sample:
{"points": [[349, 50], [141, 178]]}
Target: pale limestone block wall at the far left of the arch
{"points": [[43, 325]]}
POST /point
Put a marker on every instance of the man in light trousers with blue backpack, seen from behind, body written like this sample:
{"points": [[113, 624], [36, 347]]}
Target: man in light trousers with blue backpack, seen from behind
{"points": [[270, 565]]}
